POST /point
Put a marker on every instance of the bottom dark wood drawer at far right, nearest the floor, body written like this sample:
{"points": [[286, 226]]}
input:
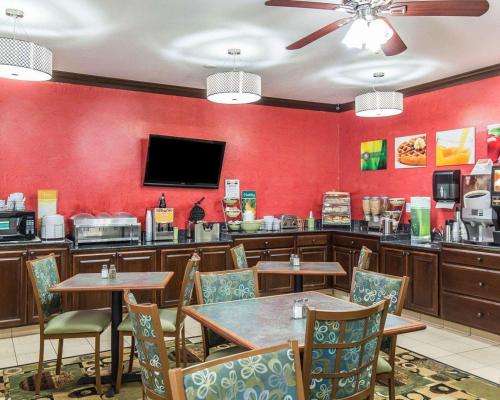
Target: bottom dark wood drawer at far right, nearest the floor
{"points": [[480, 314]]}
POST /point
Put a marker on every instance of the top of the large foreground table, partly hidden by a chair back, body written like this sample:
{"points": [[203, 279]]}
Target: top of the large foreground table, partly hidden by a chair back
{"points": [[266, 321]]}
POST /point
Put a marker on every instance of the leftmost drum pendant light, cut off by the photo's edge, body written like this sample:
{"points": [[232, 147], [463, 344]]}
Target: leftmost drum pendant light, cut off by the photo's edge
{"points": [[21, 59]]}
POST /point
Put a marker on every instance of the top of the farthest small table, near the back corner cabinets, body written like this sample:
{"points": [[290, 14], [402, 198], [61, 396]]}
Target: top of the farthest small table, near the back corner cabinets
{"points": [[305, 268]]}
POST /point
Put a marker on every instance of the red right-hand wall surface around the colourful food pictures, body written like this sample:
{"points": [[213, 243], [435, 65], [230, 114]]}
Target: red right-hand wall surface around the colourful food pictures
{"points": [[476, 104]]}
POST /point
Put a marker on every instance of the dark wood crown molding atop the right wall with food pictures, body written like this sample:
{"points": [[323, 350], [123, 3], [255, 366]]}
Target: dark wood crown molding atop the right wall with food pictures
{"points": [[460, 79]]}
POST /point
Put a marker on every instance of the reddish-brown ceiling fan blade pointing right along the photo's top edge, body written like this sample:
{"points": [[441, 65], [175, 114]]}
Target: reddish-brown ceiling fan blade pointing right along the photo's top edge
{"points": [[453, 8]]}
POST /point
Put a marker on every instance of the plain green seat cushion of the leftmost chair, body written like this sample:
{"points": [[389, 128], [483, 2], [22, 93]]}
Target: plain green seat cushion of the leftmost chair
{"points": [[81, 321]]}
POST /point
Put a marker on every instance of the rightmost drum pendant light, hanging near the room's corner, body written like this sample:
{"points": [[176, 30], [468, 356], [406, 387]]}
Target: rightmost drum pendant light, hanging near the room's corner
{"points": [[378, 104]]}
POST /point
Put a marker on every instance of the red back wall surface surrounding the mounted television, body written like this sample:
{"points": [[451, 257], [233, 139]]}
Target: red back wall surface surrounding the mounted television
{"points": [[89, 144]]}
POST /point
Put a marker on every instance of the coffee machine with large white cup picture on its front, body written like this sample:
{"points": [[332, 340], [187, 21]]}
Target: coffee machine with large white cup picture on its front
{"points": [[479, 216]]}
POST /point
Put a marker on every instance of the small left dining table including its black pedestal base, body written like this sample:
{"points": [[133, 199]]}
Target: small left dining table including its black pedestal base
{"points": [[92, 282]]}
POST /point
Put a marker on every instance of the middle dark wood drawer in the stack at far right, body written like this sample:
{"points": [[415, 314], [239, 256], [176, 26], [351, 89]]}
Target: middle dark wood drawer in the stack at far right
{"points": [[476, 282]]}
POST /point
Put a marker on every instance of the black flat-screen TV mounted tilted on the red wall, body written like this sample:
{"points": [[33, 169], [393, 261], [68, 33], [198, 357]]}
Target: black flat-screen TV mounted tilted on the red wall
{"points": [[174, 161]]}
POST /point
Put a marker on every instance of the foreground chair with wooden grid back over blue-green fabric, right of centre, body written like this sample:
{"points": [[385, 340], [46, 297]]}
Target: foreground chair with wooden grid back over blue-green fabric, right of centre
{"points": [[341, 351]]}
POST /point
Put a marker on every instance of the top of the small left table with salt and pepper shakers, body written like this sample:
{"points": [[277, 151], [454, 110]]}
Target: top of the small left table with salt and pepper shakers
{"points": [[92, 282]]}
